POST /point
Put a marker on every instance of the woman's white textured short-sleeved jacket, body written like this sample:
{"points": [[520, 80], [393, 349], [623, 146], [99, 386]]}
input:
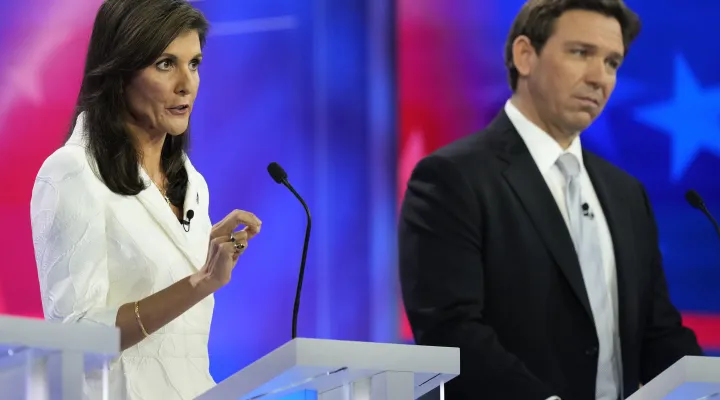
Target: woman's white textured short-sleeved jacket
{"points": [[96, 250]]}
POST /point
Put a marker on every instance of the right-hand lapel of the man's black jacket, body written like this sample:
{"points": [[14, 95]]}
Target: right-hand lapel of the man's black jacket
{"points": [[618, 219]]}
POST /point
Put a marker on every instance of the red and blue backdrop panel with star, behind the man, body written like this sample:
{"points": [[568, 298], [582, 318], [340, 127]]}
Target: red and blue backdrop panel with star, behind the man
{"points": [[662, 124]]}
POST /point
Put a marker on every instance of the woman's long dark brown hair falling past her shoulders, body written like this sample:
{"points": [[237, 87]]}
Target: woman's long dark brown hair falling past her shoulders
{"points": [[128, 36]]}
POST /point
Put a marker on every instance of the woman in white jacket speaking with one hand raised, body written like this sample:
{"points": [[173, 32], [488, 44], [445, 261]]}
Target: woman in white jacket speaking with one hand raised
{"points": [[119, 215]]}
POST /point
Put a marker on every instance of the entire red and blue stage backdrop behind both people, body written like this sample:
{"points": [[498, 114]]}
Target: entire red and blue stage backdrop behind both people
{"points": [[309, 84]]}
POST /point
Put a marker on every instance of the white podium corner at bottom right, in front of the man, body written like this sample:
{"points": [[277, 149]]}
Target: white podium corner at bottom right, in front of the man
{"points": [[694, 378]]}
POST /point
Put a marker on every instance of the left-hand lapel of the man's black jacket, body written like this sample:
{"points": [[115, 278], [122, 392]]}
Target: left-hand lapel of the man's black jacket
{"points": [[529, 185]]}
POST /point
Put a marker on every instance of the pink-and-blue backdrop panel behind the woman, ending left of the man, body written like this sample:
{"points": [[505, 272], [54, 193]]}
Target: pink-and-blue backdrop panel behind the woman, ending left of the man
{"points": [[304, 83]]}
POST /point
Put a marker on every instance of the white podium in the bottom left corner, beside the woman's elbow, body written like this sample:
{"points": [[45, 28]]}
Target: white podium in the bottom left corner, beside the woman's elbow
{"points": [[42, 360]]}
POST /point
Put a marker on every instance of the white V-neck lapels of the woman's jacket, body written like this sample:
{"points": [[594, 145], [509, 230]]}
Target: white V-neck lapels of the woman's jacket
{"points": [[155, 204]]}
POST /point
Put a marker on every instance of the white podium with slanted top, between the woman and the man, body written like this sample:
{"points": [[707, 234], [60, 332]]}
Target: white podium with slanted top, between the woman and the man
{"points": [[341, 370]]}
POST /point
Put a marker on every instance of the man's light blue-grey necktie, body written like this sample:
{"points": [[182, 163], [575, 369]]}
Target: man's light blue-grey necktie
{"points": [[583, 230]]}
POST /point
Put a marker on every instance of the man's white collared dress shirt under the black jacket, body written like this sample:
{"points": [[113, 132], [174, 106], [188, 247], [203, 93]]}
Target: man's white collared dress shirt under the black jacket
{"points": [[545, 151]]}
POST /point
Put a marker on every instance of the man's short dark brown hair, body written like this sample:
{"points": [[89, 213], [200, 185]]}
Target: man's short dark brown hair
{"points": [[536, 20]]}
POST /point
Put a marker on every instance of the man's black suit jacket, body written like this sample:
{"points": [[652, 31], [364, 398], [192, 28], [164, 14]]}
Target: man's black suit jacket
{"points": [[487, 265]]}
